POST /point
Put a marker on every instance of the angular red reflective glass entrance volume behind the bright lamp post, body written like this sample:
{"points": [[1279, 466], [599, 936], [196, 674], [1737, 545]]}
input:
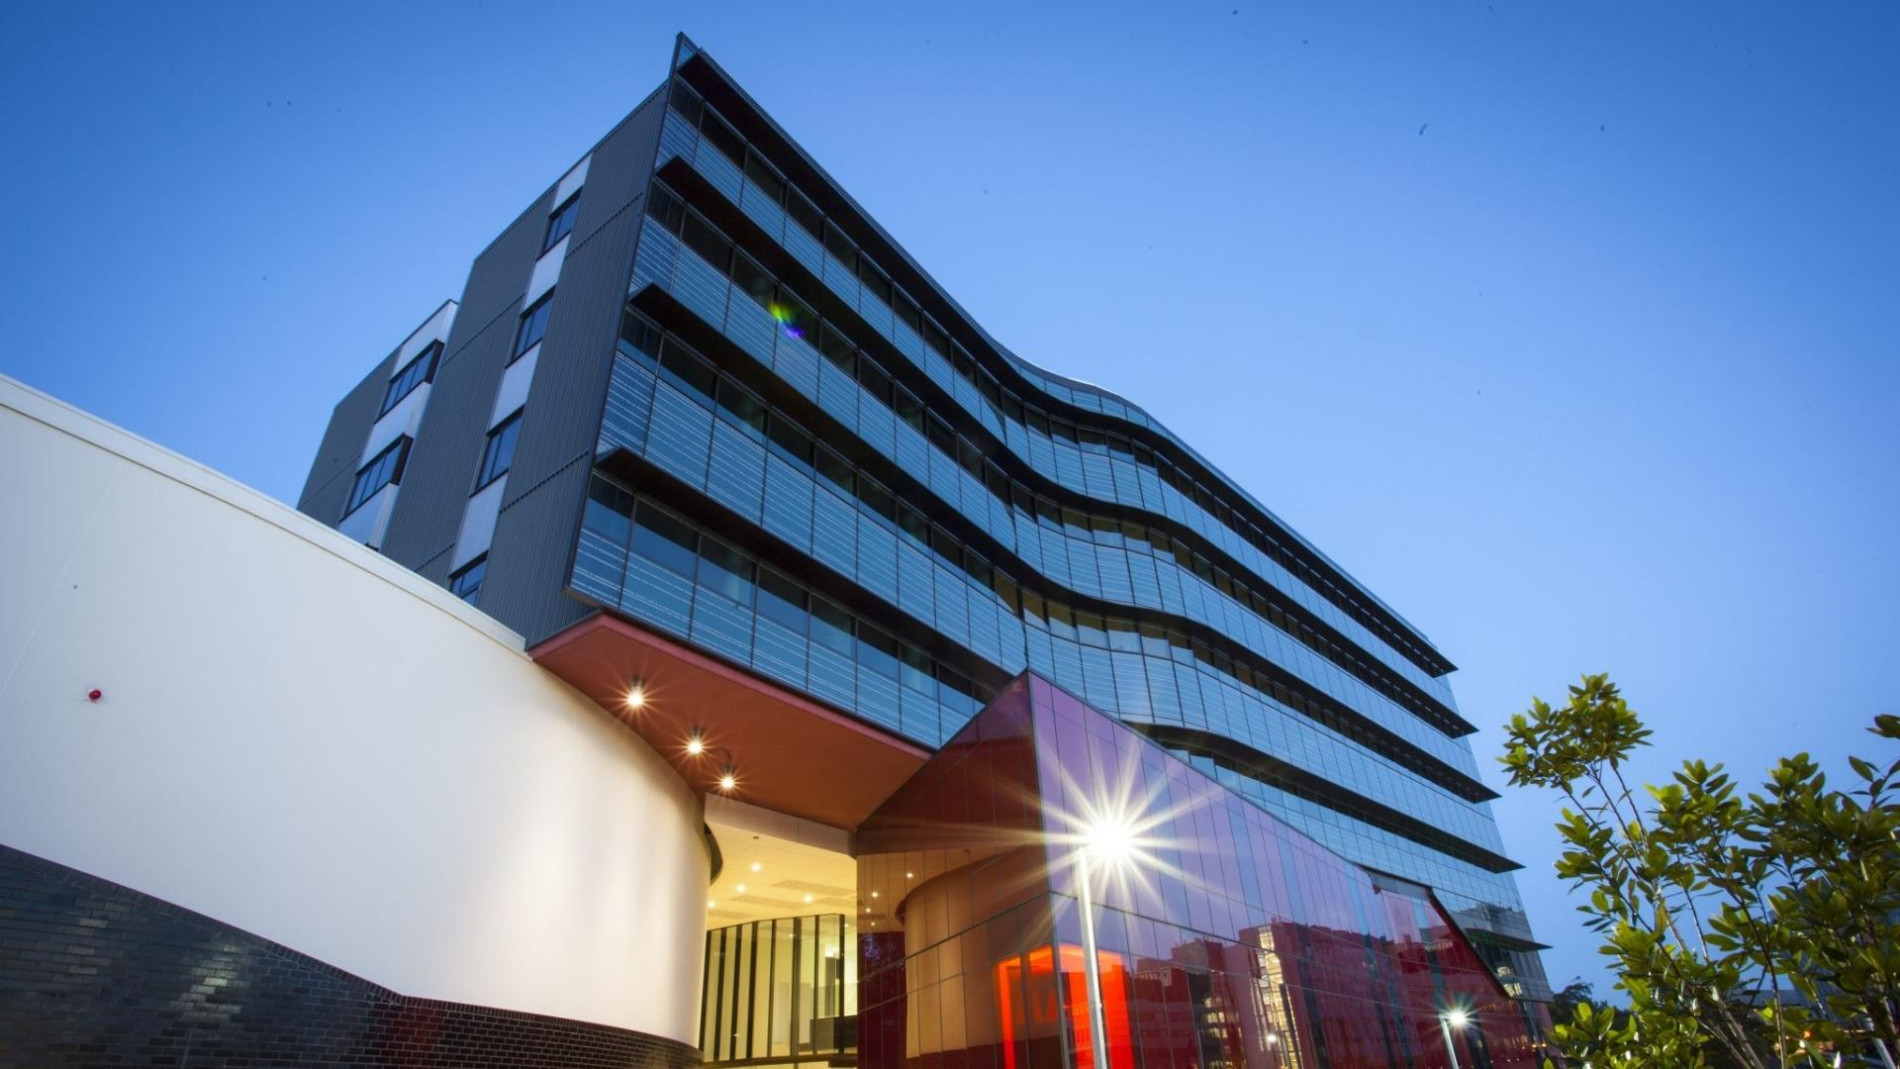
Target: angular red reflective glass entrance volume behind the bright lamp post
{"points": [[1232, 943]]}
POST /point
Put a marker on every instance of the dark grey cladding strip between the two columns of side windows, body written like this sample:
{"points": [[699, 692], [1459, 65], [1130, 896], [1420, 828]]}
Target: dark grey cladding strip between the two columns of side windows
{"points": [[442, 464]]}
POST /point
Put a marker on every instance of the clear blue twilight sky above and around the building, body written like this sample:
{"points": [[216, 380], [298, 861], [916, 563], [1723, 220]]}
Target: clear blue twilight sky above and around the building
{"points": [[1568, 329]]}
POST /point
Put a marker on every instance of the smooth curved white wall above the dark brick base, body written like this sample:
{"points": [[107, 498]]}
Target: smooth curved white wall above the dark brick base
{"points": [[307, 741]]}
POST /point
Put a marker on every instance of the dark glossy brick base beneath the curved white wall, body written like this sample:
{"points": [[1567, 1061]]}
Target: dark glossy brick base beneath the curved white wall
{"points": [[94, 973]]}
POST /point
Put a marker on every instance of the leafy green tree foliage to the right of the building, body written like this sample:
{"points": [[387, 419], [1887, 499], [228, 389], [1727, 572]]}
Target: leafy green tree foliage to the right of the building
{"points": [[1717, 907]]}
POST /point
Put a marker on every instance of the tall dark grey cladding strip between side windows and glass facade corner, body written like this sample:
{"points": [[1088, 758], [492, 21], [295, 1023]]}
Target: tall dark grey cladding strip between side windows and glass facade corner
{"points": [[548, 483]]}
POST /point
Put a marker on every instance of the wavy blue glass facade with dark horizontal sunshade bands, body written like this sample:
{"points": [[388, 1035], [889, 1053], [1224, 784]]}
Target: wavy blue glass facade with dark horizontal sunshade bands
{"points": [[814, 466]]}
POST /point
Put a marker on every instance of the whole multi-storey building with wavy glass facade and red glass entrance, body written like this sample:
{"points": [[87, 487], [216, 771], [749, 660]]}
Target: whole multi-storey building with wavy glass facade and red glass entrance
{"points": [[740, 470]]}
